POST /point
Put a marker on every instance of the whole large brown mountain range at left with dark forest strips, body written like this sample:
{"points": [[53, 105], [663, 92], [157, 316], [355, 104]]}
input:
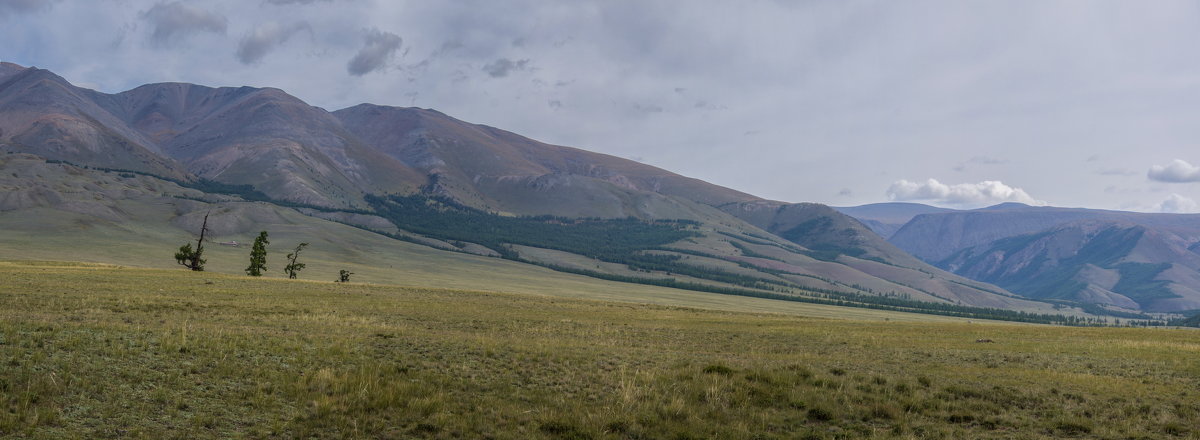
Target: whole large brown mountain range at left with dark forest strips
{"points": [[425, 177]]}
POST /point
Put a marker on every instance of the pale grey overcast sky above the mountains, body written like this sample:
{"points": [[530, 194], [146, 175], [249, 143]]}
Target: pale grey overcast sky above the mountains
{"points": [[952, 104]]}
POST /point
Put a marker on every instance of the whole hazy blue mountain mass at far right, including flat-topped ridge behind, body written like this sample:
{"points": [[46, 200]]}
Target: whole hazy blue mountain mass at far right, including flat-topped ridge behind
{"points": [[1131, 261]]}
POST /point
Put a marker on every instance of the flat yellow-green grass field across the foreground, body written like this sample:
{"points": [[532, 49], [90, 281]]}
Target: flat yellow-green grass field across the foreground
{"points": [[103, 352]]}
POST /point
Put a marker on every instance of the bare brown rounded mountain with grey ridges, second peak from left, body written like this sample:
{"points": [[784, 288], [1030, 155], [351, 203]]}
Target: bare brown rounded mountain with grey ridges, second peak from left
{"points": [[262, 137]]}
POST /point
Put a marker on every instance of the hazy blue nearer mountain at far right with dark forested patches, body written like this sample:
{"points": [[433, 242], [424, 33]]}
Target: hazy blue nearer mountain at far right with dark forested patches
{"points": [[1106, 263]]}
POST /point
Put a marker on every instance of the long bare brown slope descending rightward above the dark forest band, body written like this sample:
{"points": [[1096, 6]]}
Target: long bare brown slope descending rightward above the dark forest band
{"points": [[493, 168]]}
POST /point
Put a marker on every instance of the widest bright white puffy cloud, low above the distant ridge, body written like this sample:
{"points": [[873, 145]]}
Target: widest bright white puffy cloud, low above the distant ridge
{"points": [[962, 195]]}
